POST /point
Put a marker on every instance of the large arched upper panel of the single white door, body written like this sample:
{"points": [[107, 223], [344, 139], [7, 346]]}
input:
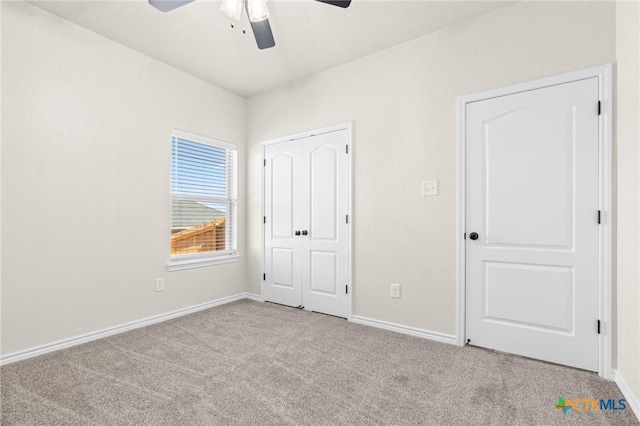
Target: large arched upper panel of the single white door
{"points": [[517, 150]]}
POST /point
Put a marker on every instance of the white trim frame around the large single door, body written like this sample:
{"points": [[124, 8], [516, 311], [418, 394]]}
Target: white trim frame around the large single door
{"points": [[605, 178]]}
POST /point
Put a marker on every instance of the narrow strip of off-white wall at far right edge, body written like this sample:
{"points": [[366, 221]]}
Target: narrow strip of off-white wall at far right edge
{"points": [[628, 183]]}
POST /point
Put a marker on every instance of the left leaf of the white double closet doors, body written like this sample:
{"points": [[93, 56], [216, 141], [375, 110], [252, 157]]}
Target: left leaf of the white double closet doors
{"points": [[282, 247]]}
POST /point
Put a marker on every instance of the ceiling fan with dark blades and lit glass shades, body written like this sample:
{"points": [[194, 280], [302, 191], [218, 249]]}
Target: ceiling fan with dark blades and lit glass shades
{"points": [[256, 10]]}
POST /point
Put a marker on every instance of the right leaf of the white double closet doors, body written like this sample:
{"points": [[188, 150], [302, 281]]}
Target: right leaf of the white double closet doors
{"points": [[325, 247]]}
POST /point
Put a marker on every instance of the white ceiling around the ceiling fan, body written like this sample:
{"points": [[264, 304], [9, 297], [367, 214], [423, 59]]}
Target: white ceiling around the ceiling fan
{"points": [[310, 36]]}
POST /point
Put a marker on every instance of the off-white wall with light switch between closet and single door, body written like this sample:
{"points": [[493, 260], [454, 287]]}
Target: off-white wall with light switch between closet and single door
{"points": [[403, 104]]}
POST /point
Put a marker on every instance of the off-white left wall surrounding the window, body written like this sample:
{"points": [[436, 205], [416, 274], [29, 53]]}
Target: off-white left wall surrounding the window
{"points": [[85, 173]]}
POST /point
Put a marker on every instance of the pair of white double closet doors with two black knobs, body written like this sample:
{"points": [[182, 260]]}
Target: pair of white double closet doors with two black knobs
{"points": [[306, 237]]}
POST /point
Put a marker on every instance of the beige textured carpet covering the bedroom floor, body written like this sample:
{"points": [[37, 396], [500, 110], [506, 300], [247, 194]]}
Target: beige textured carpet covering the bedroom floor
{"points": [[250, 363]]}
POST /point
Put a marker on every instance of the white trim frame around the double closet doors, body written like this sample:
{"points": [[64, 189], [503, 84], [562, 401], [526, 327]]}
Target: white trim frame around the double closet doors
{"points": [[348, 126]]}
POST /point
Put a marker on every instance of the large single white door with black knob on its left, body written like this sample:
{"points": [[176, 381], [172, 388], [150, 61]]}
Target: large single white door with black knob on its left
{"points": [[532, 206]]}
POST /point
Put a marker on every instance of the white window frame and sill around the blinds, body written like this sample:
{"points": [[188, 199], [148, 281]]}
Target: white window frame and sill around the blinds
{"points": [[196, 260]]}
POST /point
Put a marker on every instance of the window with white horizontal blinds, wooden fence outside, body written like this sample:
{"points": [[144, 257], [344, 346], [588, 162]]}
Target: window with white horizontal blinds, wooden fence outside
{"points": [[203, 201]]}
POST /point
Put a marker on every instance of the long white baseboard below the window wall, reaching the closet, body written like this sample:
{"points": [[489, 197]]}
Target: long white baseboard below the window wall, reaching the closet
{"points": [[84, 338]]}
